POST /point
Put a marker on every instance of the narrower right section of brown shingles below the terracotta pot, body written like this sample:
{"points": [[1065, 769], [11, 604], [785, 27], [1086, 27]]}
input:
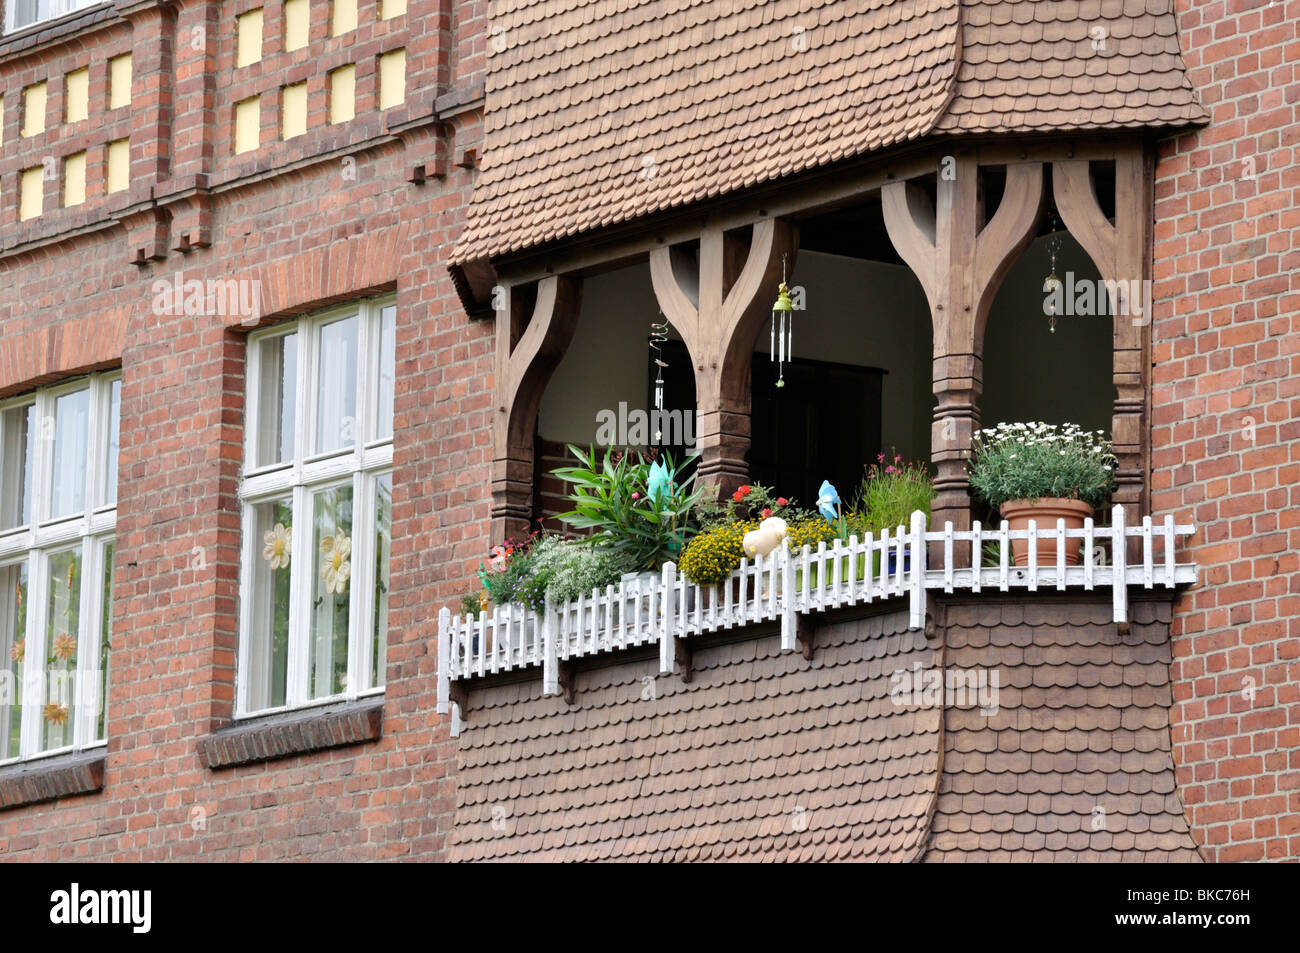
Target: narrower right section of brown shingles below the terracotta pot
{"points": [[1077, 763]]}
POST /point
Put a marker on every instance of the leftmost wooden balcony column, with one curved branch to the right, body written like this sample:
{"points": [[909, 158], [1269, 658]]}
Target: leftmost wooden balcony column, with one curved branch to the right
{"points": [[530, 346]]}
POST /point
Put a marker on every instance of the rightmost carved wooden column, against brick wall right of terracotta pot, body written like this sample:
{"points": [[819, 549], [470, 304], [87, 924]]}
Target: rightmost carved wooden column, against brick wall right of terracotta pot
{"points": [[1121, 255]]}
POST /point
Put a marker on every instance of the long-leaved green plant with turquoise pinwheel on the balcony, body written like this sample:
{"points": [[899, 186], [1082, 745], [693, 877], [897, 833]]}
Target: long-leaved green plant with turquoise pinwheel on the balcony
{"points": [[639, 509]]}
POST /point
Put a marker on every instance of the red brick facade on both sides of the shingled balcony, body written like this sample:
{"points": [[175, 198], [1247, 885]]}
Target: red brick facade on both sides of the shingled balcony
{"points": [[372, 206]]}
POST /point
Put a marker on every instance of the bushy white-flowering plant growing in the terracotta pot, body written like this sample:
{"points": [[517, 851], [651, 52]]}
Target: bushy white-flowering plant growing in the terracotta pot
{"points": [[1033, 461]]}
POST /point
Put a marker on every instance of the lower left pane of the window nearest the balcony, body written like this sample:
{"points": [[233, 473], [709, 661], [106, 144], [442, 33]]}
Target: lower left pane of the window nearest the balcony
{"points": [[268, 621]]}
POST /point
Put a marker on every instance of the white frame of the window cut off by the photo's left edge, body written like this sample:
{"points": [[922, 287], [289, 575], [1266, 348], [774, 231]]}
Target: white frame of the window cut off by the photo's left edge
{"points": [[93, 530]]}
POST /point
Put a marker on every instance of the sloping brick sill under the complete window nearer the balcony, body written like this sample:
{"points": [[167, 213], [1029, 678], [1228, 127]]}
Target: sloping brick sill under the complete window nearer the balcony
{"points": [[284, 737]]}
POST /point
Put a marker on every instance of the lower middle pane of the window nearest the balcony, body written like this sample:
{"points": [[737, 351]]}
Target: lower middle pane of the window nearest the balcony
{"points": [[332, 594]]}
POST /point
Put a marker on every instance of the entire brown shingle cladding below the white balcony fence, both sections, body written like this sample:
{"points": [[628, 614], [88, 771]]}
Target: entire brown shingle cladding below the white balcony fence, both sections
{"points": [[765, 756]]}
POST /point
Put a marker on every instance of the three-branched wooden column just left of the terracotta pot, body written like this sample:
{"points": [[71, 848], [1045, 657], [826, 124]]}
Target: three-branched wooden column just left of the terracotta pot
{"points": [[960, 263]]}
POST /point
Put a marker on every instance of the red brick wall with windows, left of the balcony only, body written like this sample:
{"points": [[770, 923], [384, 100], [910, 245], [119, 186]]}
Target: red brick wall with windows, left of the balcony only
{"points": [[314, 229]]}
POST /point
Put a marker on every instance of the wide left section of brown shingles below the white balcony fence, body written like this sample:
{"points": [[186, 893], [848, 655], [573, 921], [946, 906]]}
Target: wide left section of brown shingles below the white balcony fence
{"points": [[761, 757]]}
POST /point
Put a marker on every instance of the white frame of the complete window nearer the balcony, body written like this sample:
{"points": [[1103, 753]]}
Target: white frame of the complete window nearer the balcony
{"points": [[362, 466]]}
